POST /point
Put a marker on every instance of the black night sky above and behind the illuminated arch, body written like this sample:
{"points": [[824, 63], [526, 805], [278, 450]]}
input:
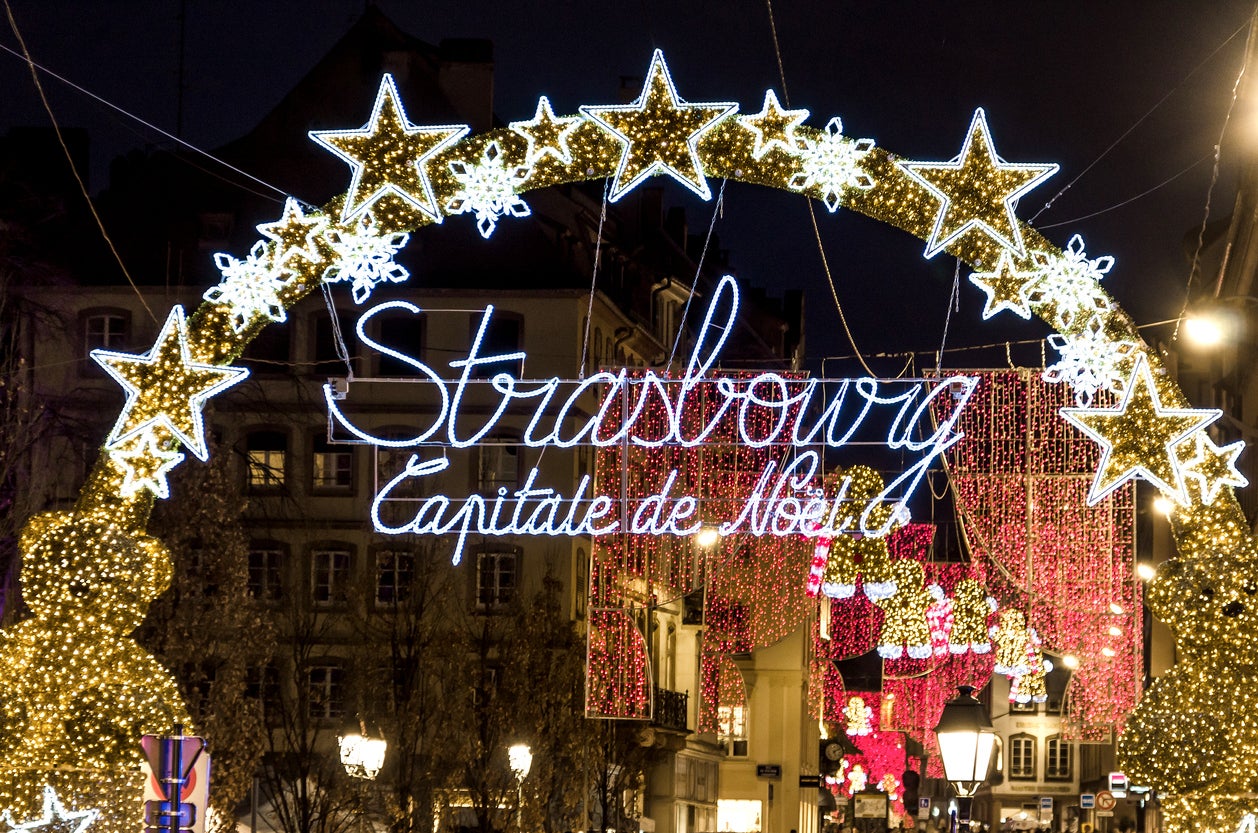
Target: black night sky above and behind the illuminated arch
{"points": [[1060, 81]]}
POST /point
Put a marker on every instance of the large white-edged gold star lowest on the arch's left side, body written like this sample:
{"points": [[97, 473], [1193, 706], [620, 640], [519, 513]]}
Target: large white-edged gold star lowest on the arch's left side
{"points": [[165, 388]]}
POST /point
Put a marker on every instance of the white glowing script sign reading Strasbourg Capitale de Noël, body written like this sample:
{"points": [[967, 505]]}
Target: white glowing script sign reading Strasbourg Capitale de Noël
{"points": [[797, 418]]}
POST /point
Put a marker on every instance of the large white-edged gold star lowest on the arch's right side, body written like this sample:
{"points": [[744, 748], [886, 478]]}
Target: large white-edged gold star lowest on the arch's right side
{"points": [[1139, 437]]}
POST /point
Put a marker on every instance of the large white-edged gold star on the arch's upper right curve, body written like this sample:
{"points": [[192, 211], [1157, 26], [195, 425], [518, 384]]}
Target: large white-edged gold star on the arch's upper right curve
{"points": [[977, 191]]}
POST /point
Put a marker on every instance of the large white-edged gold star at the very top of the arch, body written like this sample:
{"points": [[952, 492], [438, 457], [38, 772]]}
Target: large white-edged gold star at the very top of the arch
{"points": [[660, 133]]}
